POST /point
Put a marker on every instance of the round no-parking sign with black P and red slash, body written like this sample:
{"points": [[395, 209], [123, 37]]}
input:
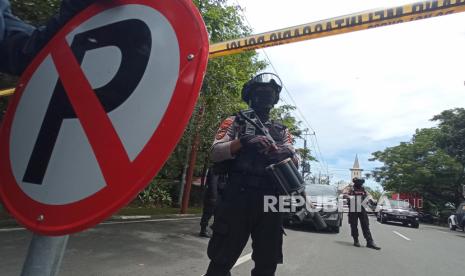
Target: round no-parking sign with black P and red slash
{"points": [[99, 110]]}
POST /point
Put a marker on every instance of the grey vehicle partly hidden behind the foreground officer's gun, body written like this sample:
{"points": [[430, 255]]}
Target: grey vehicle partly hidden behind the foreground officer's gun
{"points": [[326, 203]]}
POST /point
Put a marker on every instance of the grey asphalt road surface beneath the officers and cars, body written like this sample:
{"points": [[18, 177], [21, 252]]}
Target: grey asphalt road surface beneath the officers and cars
{"points": [[171, 247]]}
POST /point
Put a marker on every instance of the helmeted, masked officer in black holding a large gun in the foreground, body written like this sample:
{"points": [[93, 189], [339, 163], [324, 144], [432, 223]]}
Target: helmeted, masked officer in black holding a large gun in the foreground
{"points": [[241, 211]]}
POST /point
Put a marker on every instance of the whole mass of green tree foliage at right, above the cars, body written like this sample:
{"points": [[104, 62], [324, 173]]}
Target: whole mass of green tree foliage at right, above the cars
{"points": [[431, 164]]}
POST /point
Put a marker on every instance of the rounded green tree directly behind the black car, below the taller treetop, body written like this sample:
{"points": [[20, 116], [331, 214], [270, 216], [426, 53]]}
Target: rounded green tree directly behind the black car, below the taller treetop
{"points": [[420, 166]]}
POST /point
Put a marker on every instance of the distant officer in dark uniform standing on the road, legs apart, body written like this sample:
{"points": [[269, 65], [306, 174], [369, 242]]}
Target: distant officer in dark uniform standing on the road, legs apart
{"points": [[357, 195]]}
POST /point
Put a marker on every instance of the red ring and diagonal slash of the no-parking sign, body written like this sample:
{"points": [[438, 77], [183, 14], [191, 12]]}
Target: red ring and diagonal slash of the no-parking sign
{"points": [[124, 178]]}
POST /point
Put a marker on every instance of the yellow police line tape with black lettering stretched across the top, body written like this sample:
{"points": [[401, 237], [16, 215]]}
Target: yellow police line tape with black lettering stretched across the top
{"points": [[338, 25]]}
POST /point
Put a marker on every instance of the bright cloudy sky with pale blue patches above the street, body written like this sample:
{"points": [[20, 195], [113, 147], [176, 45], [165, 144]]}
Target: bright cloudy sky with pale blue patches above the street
{"points": [[364, 91]]}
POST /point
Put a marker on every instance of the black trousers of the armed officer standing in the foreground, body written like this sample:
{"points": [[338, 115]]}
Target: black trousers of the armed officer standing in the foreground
{"points": [[241, 215]]}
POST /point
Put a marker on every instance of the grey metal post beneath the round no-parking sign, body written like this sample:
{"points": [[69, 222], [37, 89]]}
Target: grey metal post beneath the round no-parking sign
{"points": [[44, 256]]}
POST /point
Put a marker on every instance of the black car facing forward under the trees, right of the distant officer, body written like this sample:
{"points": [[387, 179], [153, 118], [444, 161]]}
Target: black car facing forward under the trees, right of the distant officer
{"points": [[398, 211]]}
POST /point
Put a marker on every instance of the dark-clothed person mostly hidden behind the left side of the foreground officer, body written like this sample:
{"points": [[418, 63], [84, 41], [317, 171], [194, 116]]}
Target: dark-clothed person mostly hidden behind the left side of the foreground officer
{"points": [[214, 187]]}
